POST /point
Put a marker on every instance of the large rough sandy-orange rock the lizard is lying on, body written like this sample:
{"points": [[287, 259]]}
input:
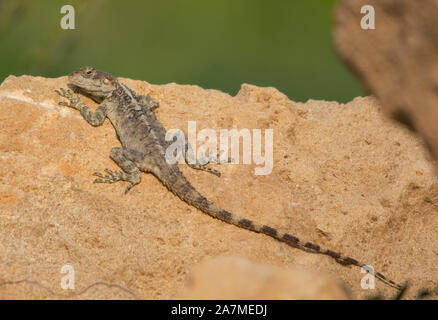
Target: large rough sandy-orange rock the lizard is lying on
{"points": [[344, 176]]}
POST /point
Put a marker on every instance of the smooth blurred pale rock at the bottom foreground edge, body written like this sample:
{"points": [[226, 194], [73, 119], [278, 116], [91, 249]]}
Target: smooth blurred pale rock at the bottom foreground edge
{"points": [[236, 278]]}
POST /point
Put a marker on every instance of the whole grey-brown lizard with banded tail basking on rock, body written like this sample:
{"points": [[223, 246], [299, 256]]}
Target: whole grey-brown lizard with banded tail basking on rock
{"points": [[143, 147]]}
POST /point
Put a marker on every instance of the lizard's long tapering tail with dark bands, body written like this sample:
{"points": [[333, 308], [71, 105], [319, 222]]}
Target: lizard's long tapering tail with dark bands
{"points": [[179, 186]]}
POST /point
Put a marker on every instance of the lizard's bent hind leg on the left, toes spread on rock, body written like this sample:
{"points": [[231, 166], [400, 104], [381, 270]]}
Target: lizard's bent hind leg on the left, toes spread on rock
{"points": [[124, 159]]}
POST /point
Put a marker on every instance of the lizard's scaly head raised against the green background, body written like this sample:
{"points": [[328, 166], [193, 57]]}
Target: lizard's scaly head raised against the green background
{"points": [[95, 83]]}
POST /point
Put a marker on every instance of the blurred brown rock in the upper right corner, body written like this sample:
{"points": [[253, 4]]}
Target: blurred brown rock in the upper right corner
{"points": [[398, 60]]}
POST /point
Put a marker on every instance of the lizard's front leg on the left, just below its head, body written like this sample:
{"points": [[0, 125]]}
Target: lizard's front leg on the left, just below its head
{"points": [[94, 118]]}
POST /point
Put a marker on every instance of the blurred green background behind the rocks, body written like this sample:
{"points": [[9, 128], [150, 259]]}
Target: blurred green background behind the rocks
{"points": [[216, 44]]}
